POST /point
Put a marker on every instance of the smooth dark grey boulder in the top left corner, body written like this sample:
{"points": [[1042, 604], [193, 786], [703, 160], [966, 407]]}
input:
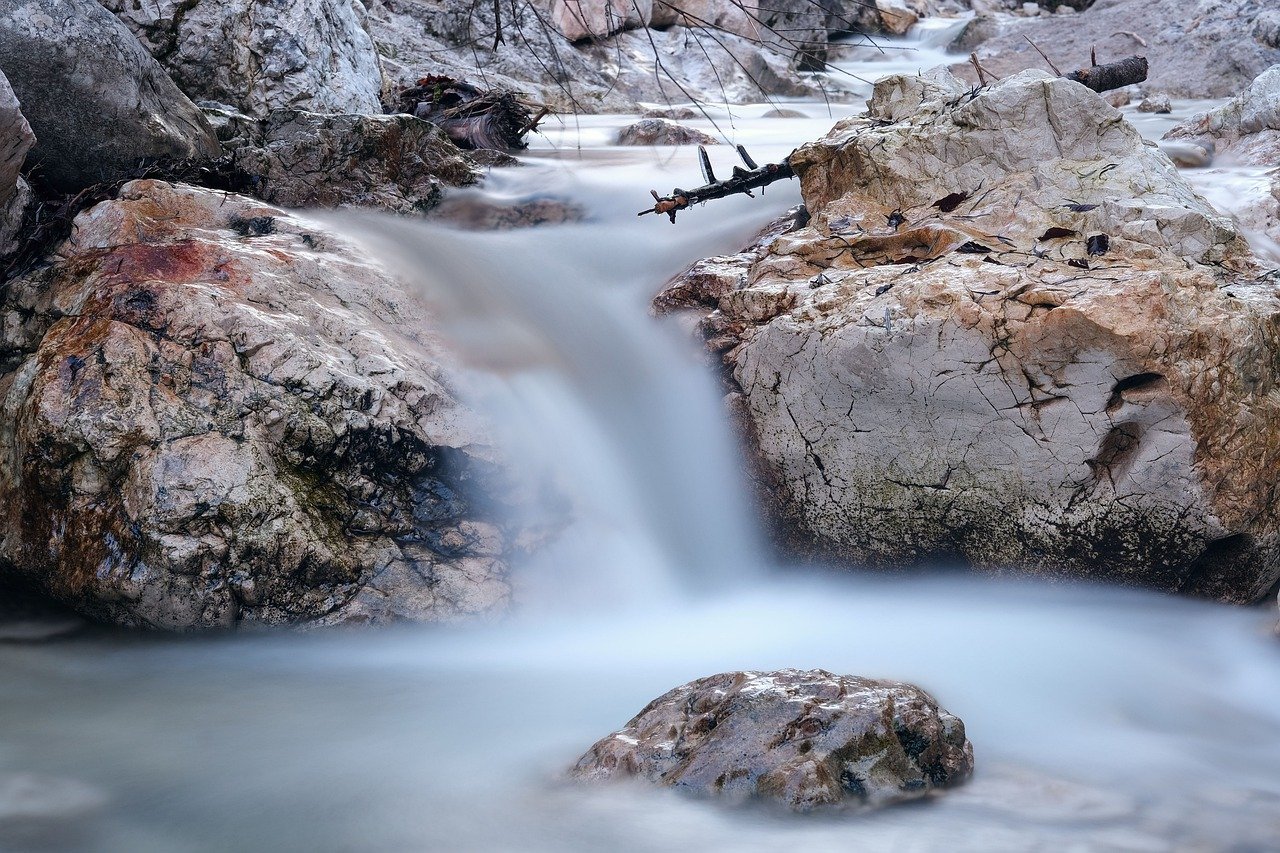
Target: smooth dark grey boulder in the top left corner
{"points": [[98, 103]]}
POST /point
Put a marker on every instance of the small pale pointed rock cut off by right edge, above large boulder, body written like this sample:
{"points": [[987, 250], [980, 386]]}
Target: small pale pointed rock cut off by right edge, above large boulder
{"points": [[1246, 129]]}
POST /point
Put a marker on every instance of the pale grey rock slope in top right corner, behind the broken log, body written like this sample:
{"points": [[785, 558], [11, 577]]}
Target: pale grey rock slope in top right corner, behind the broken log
{"points": [[1195, 48]]}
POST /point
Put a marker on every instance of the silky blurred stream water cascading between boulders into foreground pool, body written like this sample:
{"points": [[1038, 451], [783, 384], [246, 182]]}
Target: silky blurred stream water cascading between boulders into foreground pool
{"points": [[1101, 719]]}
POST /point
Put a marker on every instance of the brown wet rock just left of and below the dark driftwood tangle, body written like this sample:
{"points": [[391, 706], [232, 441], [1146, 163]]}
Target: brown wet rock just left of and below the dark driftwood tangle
{"points": [[396, 163]]}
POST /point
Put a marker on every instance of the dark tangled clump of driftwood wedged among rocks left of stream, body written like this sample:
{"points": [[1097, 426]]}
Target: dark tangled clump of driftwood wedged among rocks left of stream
{"points": [[474, 118]]}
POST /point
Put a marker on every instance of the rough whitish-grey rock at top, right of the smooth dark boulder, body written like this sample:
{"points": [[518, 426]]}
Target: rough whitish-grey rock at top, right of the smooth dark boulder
{"points": [[259, 57]]}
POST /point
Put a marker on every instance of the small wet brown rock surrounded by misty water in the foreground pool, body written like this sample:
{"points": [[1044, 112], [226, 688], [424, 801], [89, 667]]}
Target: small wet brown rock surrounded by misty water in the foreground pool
{"points": [[807, 740]]}
